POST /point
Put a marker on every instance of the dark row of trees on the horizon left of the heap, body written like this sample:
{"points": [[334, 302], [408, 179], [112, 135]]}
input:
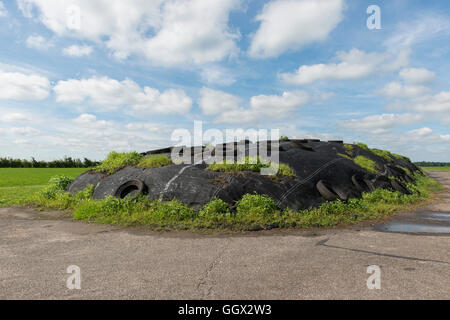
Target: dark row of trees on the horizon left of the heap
{"points": [[66, 162]]}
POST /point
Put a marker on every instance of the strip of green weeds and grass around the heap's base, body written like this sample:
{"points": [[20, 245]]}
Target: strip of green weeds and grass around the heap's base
{"points": [[252, 212]]}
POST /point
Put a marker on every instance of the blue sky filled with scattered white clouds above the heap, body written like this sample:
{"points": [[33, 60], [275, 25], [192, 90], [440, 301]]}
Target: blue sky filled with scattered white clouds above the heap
{"points": [[81, 78]]}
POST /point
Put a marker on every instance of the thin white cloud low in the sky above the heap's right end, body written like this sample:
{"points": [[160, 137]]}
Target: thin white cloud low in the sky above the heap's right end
{"points": [[378, 124]]}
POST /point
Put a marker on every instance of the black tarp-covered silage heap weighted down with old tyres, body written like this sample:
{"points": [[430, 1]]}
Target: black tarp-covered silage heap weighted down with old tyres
{"points": [[325, 171]]}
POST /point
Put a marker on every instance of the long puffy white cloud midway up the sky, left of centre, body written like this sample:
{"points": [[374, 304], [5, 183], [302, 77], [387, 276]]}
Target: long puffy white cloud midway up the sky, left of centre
{"points": [[109, 94]]}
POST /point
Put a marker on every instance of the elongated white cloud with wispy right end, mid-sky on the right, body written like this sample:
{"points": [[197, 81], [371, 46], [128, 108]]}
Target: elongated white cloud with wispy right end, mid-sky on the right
{"points": [[354, 64]]}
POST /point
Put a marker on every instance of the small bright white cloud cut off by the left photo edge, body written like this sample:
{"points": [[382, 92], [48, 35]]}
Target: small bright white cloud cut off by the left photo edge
{"points": [[20, 86]]}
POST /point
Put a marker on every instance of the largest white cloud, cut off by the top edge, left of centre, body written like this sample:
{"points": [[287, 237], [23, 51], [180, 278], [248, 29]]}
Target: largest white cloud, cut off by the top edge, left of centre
{"points": [[169, 32]]}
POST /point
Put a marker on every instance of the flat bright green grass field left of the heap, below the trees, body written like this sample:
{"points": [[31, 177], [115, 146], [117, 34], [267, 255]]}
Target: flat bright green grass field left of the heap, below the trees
{"points": [[17, 184]]}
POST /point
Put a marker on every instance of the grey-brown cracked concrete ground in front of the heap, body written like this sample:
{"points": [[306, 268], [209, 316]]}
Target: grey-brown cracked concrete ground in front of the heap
{"points": [[128, 263]]}
